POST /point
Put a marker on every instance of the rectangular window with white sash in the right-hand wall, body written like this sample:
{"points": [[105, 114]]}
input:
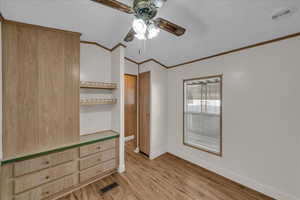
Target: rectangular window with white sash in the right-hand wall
{"points": [[203, 114]]}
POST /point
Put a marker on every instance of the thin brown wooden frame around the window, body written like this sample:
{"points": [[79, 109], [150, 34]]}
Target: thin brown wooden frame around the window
{"points": [[220, 154]]}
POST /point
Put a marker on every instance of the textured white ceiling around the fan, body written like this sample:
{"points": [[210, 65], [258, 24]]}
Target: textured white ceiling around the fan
{"points": [[213, 26]]}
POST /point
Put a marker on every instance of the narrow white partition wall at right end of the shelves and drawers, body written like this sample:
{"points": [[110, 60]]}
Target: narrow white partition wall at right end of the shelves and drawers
{"points": [[117, 76]]}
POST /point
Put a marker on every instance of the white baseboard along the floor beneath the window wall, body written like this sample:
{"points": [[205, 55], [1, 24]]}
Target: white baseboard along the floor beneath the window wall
{"points": [[245, 181]]}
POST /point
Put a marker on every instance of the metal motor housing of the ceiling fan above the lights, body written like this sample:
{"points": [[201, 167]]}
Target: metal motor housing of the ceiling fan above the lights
{"points": [[144, 9]]}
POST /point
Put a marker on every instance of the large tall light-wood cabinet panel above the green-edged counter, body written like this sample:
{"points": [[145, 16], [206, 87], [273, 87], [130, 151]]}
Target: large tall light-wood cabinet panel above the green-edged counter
{"points": [[41, 88]]}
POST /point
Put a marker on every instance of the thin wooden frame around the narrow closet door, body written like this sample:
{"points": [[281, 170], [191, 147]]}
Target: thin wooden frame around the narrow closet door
{"points": [[150, 106]]}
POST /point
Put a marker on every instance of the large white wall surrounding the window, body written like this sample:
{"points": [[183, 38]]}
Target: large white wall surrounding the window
{"points": [[261, 137]]}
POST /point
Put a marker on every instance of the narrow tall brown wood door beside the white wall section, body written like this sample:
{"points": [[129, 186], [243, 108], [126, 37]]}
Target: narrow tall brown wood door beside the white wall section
{"points": [[144, 112]]}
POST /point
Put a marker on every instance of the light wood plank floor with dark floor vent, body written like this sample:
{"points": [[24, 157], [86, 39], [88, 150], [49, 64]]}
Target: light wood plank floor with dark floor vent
{"points": [[166, 178]]}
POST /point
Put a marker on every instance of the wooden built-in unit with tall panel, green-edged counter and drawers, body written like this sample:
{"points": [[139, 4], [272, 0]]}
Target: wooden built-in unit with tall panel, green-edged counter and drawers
{"points": [[44, 155]]}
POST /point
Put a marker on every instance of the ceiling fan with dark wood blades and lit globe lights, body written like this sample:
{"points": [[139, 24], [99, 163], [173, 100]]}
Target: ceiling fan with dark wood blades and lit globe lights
{"points": [[144, 25]]}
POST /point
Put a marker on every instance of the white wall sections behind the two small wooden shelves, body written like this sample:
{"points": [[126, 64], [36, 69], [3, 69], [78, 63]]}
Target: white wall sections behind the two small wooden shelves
{"points": [[95, 65]]}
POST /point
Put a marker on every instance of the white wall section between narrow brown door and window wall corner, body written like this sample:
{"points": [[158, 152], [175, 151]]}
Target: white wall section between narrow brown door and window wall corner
{"points": [[159, 101]]}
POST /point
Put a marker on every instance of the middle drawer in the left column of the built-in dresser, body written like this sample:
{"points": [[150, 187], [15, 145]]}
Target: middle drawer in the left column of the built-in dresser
{"points": [[36, 179]]}
